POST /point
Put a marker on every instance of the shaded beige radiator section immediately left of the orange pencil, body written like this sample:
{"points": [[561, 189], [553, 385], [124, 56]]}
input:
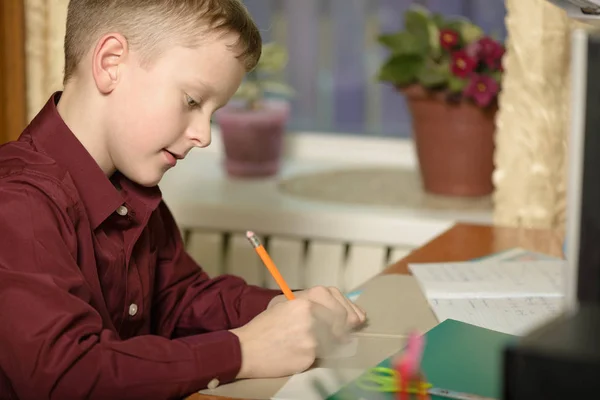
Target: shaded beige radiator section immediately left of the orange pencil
{"points": [[242, 260]]}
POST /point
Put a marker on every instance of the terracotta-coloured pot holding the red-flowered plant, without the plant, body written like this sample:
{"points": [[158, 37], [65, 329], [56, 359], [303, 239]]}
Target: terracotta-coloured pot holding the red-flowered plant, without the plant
{"points": [[454, 143]]}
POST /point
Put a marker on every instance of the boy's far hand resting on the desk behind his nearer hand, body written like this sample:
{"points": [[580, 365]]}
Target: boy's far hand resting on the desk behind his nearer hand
{"points": [[347, 315]]}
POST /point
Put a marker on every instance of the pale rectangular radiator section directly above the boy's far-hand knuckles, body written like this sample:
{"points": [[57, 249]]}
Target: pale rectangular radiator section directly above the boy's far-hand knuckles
{"points": [[324, 264]]}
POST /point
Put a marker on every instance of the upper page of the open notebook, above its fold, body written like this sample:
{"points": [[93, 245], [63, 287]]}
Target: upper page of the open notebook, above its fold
{"points": [[490, 279]]}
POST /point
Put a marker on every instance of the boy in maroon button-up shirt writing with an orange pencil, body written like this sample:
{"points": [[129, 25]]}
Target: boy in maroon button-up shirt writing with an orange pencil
{"points": [[98, 298]]}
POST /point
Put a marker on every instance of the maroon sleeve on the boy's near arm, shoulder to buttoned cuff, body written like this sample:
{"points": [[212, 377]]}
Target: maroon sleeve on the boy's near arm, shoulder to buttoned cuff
{"points": [[53, 344]]}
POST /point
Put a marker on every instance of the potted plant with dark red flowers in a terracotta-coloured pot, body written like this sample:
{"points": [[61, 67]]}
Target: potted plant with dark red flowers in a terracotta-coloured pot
{"points": [[450, 73]]}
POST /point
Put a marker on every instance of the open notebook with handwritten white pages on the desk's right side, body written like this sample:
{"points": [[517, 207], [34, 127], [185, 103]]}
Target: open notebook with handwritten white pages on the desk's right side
{"points": [[512, 293]]}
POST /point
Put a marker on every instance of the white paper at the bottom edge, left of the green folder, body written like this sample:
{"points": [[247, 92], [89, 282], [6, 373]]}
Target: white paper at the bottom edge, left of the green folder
{"points": [[301, 387]]}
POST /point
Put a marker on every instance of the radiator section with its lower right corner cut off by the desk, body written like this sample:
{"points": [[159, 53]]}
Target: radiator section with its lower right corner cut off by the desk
{"points": [[364, 262]]}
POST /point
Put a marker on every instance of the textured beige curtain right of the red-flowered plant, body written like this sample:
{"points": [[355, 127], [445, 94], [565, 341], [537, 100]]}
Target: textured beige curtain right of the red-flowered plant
{"points": [[534, 117]]}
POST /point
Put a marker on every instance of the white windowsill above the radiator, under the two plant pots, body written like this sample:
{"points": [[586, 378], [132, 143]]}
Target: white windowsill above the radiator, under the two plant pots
{"points": [[201, 196]]}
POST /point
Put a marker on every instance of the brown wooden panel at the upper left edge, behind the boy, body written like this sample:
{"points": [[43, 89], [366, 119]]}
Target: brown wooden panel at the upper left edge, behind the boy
{"points": [[12, 70]]}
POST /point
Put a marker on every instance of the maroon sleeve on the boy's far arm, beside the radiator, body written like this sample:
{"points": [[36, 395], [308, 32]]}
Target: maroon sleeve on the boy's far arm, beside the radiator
{"points": [[188, 301]]}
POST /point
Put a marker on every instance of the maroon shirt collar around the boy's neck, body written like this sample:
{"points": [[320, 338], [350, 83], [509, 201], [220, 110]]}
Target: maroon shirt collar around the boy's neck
{"points": [[100, 197]]}
